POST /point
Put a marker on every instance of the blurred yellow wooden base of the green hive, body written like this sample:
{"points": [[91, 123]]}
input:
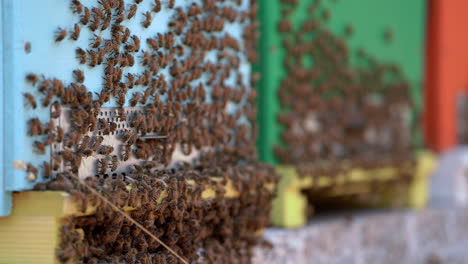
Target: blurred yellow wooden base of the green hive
{"points": [[290, 205]]}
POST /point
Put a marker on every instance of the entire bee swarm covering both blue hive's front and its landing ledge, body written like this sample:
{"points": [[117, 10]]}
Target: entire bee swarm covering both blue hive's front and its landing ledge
{"points": [[188, 91]]}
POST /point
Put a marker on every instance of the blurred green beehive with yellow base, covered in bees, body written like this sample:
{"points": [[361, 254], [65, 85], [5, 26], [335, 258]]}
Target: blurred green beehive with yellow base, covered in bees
{"points": [[341, 96]]}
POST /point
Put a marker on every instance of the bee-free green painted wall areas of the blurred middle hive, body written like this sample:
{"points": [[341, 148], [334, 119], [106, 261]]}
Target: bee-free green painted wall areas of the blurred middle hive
{"points": [[371, 20]]}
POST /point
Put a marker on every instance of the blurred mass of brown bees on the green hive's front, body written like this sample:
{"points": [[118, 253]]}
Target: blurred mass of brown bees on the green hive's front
{"points": [[338, 110]]}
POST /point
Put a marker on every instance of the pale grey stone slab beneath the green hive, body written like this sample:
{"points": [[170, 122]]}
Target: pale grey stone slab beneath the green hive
{"points": [[432, 236]]}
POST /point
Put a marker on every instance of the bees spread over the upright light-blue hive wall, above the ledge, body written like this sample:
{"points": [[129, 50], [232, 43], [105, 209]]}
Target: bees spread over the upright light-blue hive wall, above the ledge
{"points": [[192, 79]]}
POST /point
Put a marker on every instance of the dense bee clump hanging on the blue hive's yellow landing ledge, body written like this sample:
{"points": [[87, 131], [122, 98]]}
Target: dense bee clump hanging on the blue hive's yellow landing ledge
{"points": [[223, 228]]}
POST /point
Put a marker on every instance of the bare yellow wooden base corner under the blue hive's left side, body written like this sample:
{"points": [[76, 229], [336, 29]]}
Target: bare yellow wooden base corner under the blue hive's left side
{"points": [[31, 233]]}
